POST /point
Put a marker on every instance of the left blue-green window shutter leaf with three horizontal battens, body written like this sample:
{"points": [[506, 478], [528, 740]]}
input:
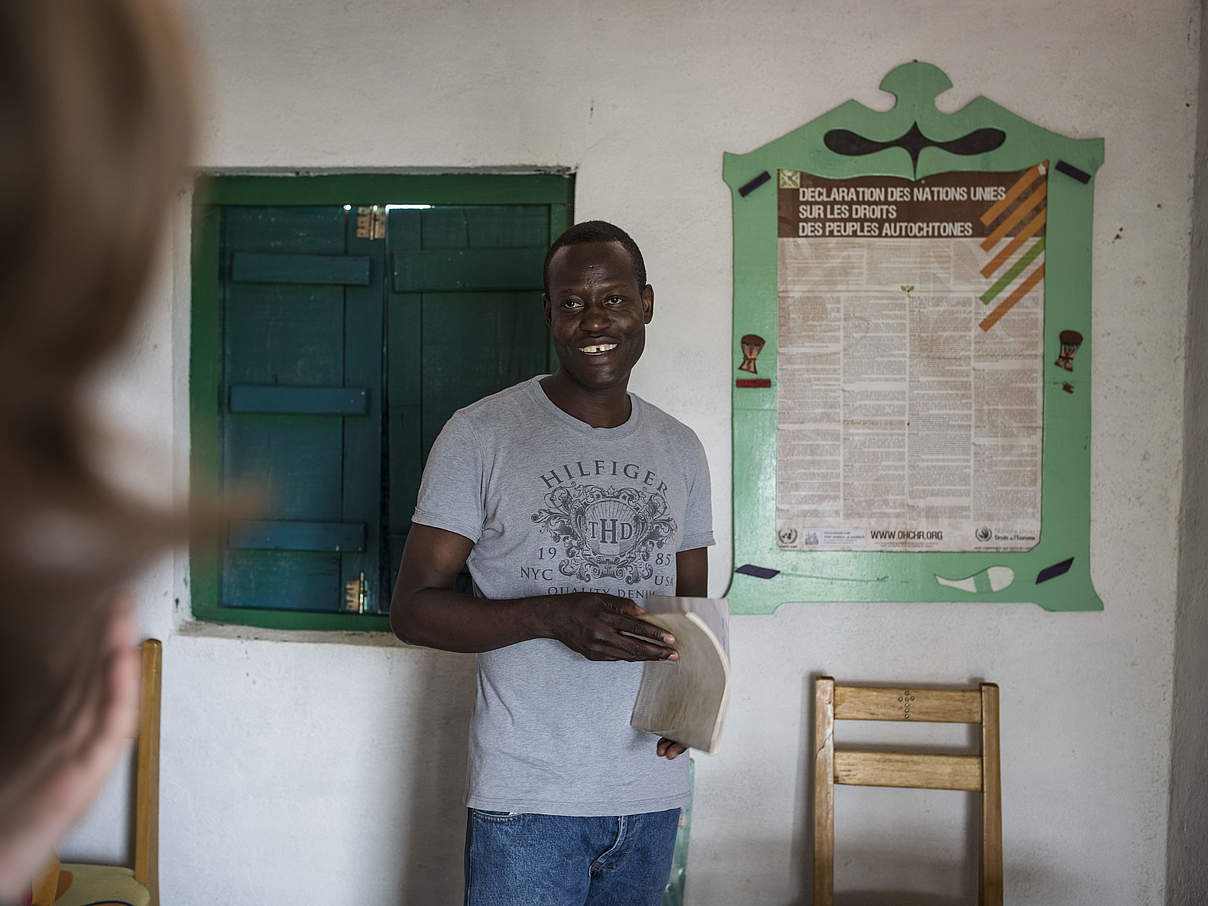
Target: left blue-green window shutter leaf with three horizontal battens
{"points": [[301, 373]]}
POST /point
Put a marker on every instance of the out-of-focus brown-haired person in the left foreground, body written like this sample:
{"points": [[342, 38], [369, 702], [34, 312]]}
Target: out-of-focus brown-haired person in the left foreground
{"points": [[96, 114]]}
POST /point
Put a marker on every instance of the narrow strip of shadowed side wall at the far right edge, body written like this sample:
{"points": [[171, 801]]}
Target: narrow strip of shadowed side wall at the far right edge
{"points": [[1187, 867]]}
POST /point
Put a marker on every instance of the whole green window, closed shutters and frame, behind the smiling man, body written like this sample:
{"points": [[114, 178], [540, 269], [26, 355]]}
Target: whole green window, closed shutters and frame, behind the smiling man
{"points": [[324, 365]]}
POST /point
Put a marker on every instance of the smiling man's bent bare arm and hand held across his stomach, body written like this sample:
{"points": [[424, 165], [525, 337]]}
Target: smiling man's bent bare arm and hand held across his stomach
{"points": [[427, 611]]}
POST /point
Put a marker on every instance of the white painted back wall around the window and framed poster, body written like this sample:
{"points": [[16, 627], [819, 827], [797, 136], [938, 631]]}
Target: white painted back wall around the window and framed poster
{"points": [[330, 771]]}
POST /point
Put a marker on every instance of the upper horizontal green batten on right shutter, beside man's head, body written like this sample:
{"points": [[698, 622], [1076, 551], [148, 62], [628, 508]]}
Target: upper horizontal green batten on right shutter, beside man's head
{"points": [[468, 270]]}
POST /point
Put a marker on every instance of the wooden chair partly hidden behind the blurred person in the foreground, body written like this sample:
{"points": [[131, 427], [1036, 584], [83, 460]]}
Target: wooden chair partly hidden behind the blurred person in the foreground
{"points": [[75, 885]]}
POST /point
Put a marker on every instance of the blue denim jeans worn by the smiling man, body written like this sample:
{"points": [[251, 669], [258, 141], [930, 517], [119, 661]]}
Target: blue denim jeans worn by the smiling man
{"points": [[555, 861]]}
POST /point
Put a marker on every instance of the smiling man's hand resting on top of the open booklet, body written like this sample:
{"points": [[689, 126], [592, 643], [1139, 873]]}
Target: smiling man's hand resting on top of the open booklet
{"points": [[602, 628]]}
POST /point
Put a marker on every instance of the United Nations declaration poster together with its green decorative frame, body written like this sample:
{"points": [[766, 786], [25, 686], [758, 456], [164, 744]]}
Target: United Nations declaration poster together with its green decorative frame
{"points": [[913, 357]]}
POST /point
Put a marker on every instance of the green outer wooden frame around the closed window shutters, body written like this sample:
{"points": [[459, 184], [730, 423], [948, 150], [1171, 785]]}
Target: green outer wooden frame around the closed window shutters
{"points": [[216, 189]]}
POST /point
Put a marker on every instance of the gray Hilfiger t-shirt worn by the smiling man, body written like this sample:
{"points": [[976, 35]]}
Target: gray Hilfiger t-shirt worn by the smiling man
{"points": [[555, 507]]}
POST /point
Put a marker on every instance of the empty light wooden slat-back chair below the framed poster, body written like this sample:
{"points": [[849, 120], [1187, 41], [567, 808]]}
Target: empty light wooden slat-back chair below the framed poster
{"points": [[975, 774]]}
